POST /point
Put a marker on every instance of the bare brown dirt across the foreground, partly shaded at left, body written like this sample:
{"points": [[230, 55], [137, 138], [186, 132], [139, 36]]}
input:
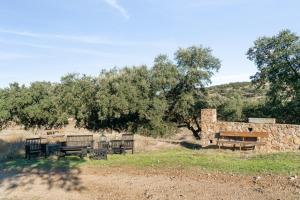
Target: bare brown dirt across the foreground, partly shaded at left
{"points": [[129, 183]]}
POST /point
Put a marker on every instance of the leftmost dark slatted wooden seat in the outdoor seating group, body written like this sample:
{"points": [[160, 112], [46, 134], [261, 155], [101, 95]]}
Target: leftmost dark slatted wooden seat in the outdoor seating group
{"points": [[33, 147]]}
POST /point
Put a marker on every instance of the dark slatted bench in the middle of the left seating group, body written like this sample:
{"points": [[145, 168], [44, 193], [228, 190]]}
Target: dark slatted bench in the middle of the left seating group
{"points": [[77, 145]]}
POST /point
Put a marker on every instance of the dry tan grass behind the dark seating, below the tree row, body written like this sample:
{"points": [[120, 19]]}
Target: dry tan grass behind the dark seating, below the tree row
{"points": [[12, 140]]}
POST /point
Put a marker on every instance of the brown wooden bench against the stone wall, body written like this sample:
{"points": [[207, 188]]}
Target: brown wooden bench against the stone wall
{"points": [[241, 139]]}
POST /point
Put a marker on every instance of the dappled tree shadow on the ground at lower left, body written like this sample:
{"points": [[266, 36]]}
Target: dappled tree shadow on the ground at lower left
{"points": [[50, 172]]}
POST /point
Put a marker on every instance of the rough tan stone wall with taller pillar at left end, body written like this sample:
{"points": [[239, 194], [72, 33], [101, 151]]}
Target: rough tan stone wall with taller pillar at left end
{"points": [[282, 137]]}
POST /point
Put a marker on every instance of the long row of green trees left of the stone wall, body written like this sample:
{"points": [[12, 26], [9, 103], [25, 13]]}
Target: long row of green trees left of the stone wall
{"points": [[151, 101]]}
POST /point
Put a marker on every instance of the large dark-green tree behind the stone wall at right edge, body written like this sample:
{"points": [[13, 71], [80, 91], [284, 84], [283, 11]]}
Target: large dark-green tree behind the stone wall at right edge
{"points": [[278, 62]]}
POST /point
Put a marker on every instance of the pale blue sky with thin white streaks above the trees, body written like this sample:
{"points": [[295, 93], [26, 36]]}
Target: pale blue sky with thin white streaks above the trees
{"points": [[45, 39]]}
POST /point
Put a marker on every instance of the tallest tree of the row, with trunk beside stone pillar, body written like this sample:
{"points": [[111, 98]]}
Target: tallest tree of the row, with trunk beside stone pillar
{"points": [[196, 66]]}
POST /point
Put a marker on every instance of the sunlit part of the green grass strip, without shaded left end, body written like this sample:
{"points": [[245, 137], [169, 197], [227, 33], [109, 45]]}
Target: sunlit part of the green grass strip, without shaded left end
{"points": [[211, 160]]}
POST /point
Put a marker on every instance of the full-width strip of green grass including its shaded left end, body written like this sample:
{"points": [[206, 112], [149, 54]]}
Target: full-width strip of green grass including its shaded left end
{"points": [[208, 160]]}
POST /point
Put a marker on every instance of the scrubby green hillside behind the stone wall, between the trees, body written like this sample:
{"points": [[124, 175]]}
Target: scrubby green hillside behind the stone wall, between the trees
{"points": [[237, 101]]}
